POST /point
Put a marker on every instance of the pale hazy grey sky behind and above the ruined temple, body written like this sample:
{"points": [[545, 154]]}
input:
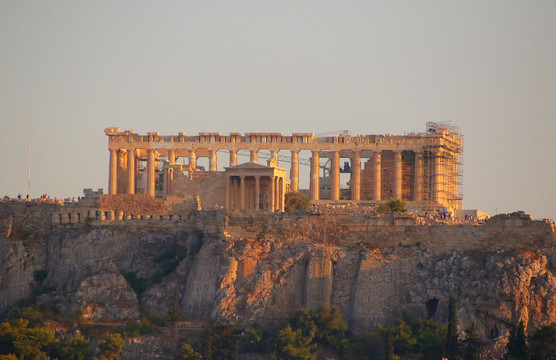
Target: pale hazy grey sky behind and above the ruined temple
{"points": [[75, 67]]}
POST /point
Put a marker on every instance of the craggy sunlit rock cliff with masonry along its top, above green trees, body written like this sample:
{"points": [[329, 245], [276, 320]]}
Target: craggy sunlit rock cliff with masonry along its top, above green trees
{"points": [[243, 269]]}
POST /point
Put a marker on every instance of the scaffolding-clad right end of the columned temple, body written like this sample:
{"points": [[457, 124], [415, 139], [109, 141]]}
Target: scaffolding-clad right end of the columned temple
{"points": [[443, 166]]}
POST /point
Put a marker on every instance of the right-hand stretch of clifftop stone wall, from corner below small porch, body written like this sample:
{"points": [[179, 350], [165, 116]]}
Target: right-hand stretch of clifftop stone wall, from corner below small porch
{"points": [[503, 232]]}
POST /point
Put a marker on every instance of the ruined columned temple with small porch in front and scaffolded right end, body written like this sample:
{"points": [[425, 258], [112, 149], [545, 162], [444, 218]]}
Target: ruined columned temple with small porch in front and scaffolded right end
{"points": [[419, 168]]}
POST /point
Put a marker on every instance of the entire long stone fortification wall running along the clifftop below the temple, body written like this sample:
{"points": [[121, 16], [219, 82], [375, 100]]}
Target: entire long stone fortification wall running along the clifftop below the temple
{"points": [[501, 232]]}
